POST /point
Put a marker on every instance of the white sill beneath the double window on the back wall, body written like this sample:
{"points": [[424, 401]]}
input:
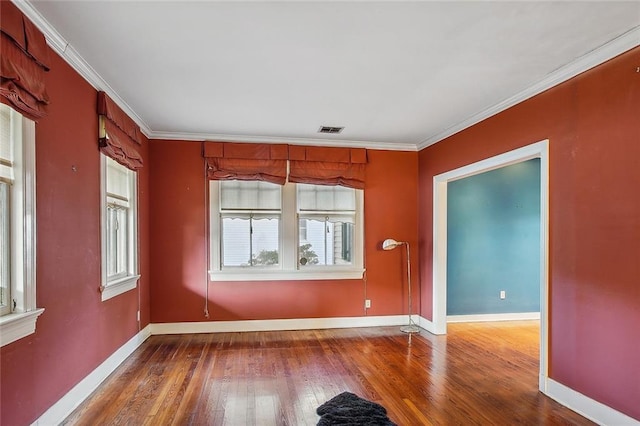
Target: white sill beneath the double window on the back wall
{"points": [[280, 275]]}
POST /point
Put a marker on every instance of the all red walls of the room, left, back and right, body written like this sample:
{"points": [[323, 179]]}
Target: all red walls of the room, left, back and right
{"points": [[591, 122]]}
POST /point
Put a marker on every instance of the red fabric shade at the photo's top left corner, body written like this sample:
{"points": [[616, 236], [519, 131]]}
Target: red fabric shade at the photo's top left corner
{"points": [[24, 58]]}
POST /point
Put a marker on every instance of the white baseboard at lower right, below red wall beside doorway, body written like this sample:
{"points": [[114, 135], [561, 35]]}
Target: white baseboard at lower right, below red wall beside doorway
{"points": [[587, 407]]}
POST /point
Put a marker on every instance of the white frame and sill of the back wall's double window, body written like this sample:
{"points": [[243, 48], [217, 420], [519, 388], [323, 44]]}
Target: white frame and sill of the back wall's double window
{"points": [[288, 268]]}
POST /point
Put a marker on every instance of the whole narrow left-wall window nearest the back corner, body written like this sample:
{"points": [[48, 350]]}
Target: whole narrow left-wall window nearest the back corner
{"points": [[119, 229]]}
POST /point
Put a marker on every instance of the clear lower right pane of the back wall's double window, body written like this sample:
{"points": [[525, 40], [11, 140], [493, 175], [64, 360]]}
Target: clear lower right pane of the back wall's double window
{"points": [[325, 242]]}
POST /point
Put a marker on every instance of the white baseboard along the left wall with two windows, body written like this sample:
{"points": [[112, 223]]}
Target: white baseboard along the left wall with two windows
{"points": [[65, 405]]}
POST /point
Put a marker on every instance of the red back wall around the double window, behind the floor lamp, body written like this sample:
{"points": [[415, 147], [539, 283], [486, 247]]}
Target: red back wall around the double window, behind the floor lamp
{"points": [[178, 252]]}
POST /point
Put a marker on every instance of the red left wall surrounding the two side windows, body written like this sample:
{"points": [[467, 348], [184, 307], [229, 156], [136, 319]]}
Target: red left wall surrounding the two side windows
{"points": [[77, 331]]}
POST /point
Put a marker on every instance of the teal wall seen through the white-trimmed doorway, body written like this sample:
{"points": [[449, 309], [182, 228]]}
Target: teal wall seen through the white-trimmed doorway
{"points": [[493, 241]]}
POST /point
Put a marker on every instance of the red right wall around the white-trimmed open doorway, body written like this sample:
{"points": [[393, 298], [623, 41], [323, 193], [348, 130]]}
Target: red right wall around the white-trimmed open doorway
{"points": [[593, 126]]}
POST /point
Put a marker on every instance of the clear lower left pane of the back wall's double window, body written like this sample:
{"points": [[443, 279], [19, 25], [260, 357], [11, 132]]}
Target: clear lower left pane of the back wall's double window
{"points": [[250, 241]]}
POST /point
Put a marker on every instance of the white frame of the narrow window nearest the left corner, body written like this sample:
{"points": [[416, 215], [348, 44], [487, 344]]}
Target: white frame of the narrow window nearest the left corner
{"points": [[114, 286]]}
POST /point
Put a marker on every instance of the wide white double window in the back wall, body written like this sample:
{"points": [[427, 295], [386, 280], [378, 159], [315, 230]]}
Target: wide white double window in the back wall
{"points": [[264, 231]]}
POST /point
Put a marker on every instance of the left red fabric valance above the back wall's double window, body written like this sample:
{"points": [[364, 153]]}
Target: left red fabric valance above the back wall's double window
{"points": [[246, 161]]}
